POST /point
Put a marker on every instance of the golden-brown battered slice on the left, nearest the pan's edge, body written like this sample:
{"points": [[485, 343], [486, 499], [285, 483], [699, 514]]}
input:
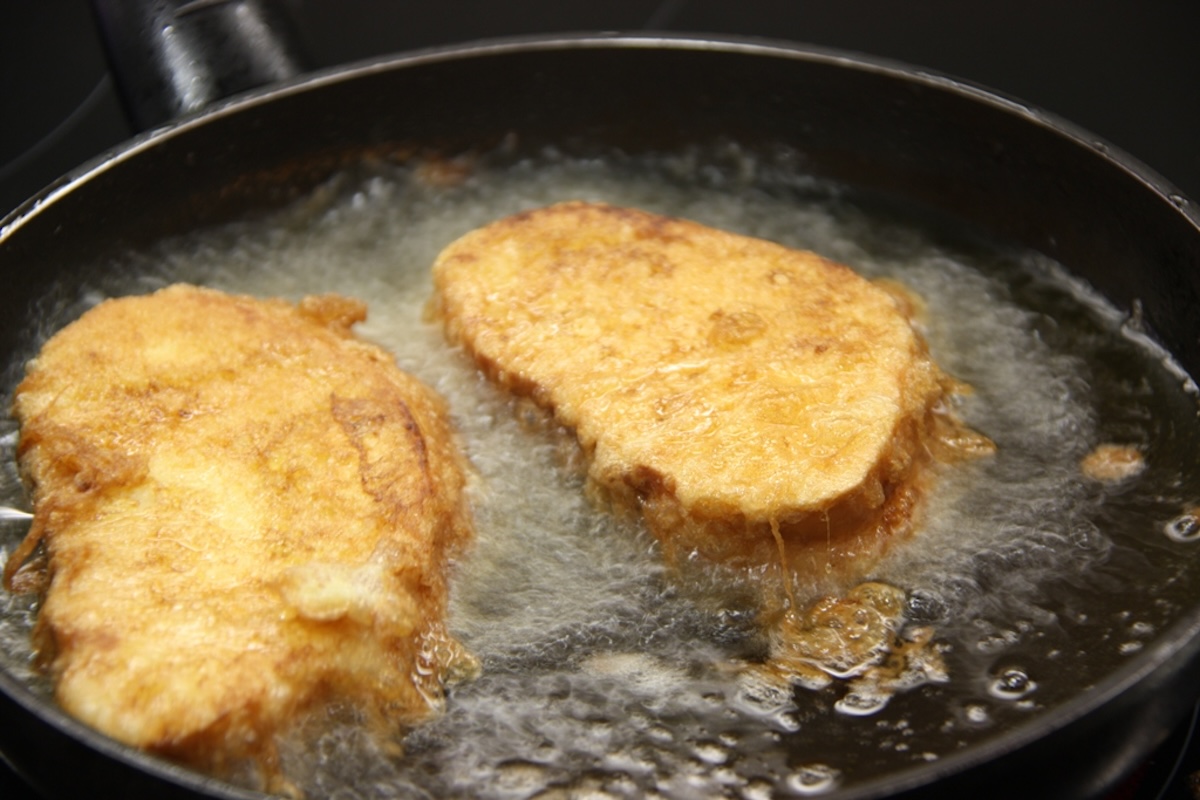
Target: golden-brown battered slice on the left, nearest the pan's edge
{"points": [[247, 512]]}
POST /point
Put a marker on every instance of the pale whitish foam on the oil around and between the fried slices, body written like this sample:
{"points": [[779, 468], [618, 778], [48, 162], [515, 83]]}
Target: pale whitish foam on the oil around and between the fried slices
{"points": [[601, 676]]}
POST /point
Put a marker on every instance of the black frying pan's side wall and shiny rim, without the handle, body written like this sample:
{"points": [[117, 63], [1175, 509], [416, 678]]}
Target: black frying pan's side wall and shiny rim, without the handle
{"points": [[927, 147]]}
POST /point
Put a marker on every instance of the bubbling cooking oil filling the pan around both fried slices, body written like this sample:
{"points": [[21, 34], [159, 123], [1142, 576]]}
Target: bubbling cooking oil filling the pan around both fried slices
{"points": [[603, 673]]}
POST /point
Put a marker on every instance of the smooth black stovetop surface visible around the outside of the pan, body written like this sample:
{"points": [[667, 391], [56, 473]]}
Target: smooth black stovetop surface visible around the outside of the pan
{"points": [[1127, 71]]}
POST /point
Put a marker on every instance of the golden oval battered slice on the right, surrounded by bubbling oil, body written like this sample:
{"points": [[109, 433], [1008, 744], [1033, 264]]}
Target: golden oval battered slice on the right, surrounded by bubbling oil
{"points": [[746, 398]]}
